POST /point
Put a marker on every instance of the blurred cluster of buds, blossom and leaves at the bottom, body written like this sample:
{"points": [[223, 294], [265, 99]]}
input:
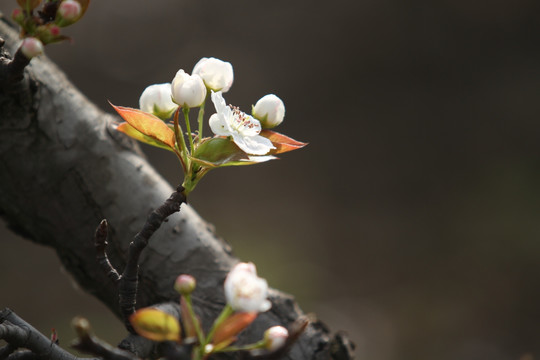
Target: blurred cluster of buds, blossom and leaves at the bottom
{"points": [[246, 295]]}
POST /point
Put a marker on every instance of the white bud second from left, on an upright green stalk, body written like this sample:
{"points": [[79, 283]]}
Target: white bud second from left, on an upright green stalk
{"points": [[188, 90]]}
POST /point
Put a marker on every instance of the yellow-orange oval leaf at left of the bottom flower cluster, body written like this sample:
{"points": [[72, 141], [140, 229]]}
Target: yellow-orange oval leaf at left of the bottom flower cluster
{"points": [[155, 325]]}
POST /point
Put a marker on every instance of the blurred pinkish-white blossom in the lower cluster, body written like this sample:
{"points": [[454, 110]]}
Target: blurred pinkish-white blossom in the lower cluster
{"points": [[245, 291]]}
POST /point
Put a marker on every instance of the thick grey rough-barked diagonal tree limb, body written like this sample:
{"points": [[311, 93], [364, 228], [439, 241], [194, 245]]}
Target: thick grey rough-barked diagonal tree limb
{"points": [[63, 168]]}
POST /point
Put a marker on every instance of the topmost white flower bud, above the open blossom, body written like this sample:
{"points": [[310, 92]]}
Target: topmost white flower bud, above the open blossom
{"points": [[216, 74]]}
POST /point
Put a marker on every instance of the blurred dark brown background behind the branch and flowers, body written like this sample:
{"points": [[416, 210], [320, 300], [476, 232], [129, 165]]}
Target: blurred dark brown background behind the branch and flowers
{"points": [[411, 220]]}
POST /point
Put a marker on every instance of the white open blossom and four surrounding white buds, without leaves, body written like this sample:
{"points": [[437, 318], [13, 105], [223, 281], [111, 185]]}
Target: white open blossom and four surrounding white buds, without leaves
{"points": [[216, 76]]}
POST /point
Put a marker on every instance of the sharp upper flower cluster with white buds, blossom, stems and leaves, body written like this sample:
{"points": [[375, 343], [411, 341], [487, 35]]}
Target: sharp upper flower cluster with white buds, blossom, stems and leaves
{"points": [[239, 138]]}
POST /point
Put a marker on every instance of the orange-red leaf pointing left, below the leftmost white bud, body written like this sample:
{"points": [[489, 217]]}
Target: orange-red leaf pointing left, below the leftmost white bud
{"points": [[147, 124]]}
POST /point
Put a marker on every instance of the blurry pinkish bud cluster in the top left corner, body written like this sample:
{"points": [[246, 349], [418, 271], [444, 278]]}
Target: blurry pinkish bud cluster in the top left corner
{"points": [[41, 26]]}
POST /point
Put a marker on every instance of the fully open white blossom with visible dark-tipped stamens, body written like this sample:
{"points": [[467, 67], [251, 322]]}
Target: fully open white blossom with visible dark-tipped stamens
{"points": [[243, 128]]}
